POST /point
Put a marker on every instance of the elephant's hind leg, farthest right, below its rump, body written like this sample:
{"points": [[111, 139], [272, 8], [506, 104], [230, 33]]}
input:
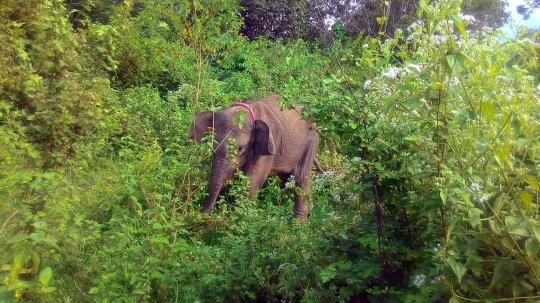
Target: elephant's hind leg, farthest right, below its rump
{"points": [[302, 174]]}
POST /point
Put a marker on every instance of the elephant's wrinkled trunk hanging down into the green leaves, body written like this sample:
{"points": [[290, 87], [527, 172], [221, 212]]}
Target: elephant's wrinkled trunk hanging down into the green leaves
{"points": [[222, 170]]}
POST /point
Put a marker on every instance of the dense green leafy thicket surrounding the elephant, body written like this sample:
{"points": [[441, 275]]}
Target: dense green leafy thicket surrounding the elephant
{"points": [[429, 140]]}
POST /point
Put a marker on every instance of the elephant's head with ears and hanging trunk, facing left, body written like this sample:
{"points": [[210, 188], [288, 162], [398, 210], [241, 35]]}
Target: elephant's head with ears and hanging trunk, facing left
{"points": [[253, 139]]}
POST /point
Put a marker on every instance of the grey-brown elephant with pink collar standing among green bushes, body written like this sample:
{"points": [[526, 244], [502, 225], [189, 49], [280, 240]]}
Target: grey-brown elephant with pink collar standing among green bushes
{"points": [[275, 139]]}
